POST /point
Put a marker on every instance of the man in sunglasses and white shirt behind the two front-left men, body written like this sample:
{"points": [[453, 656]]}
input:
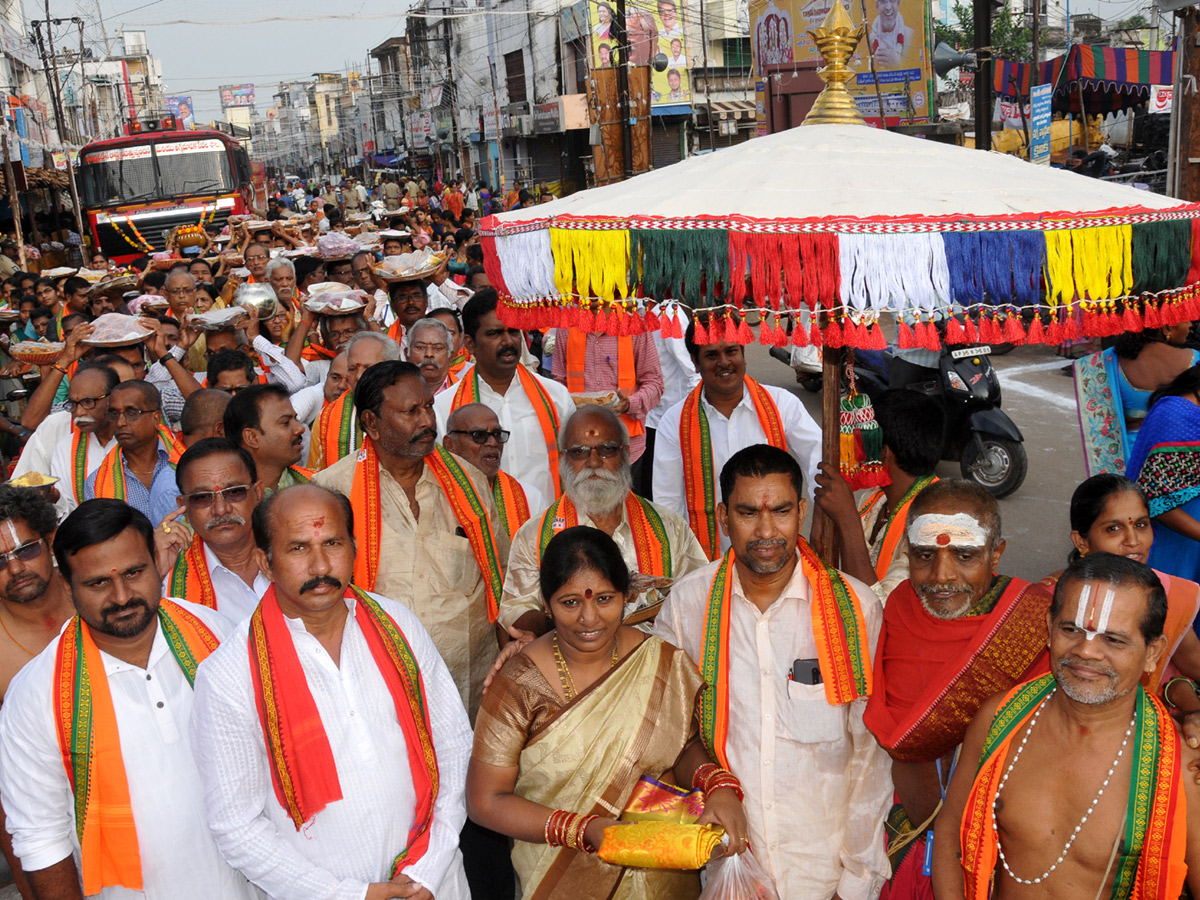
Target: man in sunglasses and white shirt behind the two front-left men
{"points": [[219, 489]]}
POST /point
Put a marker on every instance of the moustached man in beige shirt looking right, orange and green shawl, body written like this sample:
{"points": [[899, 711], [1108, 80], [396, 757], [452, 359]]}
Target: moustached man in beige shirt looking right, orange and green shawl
{"points": [[424, 524]]}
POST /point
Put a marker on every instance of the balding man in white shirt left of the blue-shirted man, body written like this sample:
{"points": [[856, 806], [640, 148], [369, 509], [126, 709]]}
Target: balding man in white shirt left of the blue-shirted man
{"points": [[81, 452]]}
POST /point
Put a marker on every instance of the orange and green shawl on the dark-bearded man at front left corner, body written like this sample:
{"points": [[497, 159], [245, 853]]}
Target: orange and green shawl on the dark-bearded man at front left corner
{"points": [[86, 724]]}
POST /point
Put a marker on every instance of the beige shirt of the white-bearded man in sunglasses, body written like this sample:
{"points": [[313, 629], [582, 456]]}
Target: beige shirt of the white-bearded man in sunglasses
{"points": [[523, 593]]}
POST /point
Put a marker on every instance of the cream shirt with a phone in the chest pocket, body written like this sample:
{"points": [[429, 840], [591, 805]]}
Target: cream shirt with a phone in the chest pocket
{"points": [[818, 785]]}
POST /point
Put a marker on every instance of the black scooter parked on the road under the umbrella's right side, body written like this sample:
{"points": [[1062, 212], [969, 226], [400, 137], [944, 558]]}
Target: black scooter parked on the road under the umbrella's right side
{"points": [[988, 446]]}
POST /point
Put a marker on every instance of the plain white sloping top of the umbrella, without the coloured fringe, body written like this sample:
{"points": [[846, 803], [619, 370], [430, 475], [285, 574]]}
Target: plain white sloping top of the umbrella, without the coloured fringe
{"points": [[833, 171]]}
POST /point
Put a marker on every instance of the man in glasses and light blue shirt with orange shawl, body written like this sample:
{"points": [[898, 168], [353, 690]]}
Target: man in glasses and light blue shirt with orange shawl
{"points": [[139, 470]]}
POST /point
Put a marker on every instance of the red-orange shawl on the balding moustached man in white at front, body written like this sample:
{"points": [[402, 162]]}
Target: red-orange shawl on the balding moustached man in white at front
{"points": [[304, 772]]}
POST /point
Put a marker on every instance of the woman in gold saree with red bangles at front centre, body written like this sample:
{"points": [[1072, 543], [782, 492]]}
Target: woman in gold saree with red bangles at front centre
{"points": [[575, 721]]}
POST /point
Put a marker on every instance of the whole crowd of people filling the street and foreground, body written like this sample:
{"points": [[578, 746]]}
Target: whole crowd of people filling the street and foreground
{"points": [[389, 599]]}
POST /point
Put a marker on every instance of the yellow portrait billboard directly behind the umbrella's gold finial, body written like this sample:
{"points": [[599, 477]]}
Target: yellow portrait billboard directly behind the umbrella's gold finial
{"points": [[899, 40]]}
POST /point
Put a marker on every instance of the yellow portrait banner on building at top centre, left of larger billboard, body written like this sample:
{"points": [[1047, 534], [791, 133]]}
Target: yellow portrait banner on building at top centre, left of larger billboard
{"points": [[655, 27]]}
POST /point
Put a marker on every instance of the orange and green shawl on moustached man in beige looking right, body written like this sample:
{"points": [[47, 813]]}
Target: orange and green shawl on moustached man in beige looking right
{"points": [[465, 502]]}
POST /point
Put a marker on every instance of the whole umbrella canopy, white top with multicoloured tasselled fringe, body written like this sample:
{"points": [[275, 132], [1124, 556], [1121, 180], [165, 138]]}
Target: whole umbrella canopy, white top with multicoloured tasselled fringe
{"points": [[854, 223]]}
